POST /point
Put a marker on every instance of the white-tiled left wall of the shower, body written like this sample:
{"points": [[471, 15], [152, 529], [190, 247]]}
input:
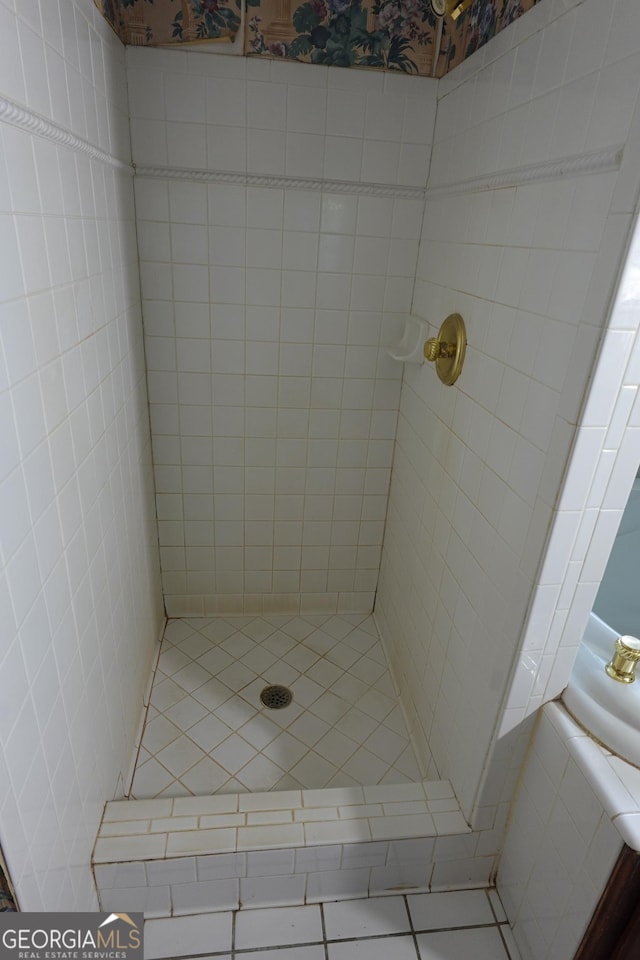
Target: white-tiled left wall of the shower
{"points": [[76, 513]]}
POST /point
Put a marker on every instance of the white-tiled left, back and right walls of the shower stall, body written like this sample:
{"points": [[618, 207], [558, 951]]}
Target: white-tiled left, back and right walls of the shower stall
{"points": [[287, 218]]}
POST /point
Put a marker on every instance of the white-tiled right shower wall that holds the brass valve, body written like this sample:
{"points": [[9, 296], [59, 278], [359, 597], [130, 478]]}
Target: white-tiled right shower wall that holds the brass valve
{"points": [[475, 470]]}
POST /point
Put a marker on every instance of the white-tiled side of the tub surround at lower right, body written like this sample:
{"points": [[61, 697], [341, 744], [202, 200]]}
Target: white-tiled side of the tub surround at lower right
{"points": [[559, 830]]}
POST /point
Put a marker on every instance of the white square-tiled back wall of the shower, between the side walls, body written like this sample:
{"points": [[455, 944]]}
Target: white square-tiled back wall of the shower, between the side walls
{"points": [[272, 371]]}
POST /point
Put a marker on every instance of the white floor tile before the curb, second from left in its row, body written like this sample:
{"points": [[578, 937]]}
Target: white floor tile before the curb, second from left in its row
{"points": [[278, 926]]}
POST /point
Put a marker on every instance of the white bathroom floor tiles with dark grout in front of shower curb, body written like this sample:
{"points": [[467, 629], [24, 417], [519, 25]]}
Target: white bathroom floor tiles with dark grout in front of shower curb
{"points": [[373, 928]]}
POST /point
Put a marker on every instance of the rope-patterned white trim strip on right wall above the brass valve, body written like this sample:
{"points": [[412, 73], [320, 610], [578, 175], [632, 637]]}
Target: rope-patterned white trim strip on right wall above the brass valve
{"points": [[597, 161]]}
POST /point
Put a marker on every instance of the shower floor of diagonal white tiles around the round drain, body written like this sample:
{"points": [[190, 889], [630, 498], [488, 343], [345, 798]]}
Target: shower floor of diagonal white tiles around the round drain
{"points": [[207, 730]]}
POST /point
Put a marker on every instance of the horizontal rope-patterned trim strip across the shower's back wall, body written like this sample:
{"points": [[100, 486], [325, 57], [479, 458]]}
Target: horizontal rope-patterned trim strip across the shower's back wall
{"points": [[275, 180]]}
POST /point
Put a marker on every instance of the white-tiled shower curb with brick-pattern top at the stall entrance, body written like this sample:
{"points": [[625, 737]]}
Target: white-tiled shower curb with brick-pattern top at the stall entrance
{"points": [[175, 856]]}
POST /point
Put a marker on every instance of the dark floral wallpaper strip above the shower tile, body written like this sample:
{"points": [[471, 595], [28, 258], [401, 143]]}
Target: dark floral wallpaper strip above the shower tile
{"points": [[401, 35]]}
